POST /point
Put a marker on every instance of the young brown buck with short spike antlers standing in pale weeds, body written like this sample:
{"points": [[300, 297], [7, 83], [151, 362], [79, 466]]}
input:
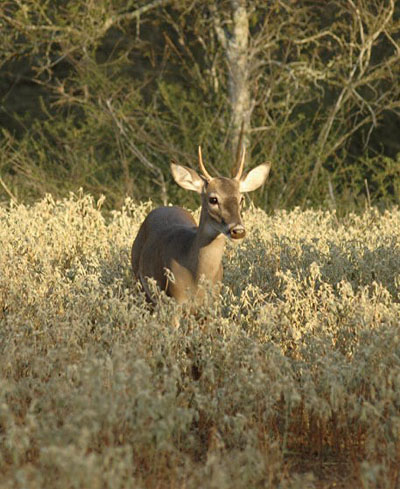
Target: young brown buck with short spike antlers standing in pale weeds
{"points": [[169, 238]]}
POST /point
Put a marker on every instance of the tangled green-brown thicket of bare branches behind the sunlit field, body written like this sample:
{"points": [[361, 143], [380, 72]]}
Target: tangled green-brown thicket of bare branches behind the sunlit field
{"points": [[102, 94]]}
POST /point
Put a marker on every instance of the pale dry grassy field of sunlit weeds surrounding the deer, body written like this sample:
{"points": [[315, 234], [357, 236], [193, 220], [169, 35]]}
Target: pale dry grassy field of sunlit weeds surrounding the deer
{"points": [[299, 357]]}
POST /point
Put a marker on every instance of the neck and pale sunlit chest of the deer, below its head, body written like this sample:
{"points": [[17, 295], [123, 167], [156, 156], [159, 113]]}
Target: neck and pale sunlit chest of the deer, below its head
{"points": [[208, 249]]}
